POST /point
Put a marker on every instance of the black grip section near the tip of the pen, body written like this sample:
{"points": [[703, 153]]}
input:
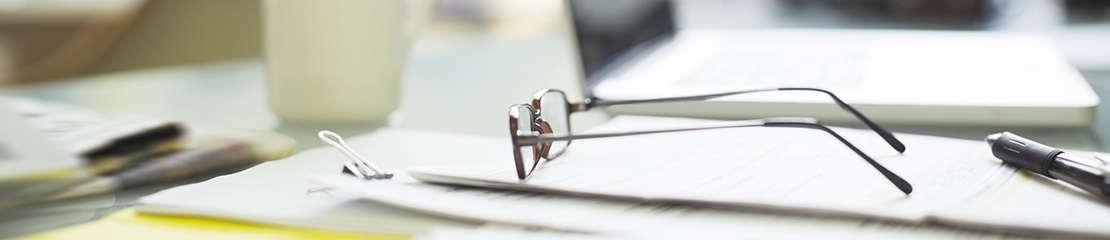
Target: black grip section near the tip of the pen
{"points": [[1025, 154]]}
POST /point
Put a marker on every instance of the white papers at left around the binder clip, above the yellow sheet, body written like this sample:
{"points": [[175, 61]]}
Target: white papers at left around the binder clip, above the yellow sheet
{"points": [[278, 193]]}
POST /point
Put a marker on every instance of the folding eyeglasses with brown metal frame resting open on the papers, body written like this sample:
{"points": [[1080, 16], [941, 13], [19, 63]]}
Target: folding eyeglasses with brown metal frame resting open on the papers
{"points": [[541, 131]]}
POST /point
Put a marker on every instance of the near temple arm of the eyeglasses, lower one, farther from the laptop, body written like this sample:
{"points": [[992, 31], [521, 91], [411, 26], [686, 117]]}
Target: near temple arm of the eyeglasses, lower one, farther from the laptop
{"points": [[771, 123]]}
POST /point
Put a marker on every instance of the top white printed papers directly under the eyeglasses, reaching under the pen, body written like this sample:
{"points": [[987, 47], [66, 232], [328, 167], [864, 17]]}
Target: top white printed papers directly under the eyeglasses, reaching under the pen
{"points": [[803, 171]]}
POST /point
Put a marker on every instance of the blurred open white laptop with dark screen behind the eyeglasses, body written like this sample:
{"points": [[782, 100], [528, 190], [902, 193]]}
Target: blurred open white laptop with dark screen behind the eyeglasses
{"points": [[632, 49]]}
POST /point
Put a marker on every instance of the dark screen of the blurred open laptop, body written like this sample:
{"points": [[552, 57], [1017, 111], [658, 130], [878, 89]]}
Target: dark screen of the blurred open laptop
{"points": [[607, 29]]}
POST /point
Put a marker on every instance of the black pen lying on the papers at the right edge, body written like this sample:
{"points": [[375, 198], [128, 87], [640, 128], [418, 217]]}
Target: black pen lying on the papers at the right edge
{"points": [[1087, 174]]}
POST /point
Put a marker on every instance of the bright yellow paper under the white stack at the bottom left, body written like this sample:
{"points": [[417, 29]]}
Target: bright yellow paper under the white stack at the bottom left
{"points": [[129, 225]]}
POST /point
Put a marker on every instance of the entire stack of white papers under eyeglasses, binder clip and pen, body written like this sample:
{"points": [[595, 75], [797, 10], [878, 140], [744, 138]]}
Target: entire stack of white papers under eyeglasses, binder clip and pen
{"points": [[785, 185]]}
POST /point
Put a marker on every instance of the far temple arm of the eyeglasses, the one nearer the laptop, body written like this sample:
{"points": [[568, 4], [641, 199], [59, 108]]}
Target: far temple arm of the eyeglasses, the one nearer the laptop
{"points": [[883, 133]]}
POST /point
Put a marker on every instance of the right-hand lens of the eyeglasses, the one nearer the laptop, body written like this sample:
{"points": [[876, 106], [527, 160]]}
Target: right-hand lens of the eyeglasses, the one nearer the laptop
{"points": [[553, 109]]}
